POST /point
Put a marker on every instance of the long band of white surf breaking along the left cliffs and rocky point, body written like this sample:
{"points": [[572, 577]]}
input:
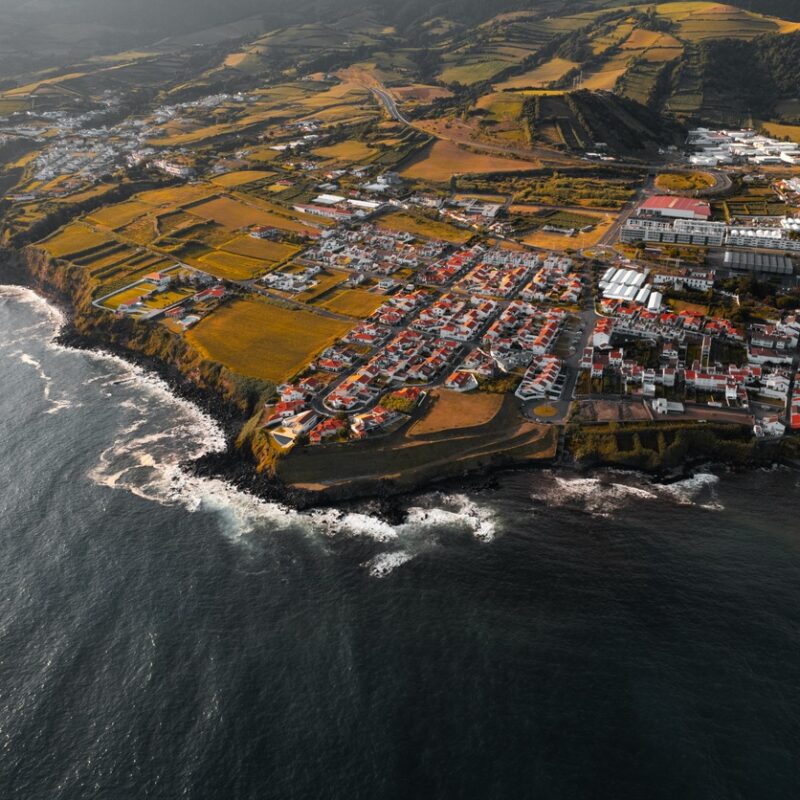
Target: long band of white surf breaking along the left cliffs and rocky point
{"points": [[159, 431]]}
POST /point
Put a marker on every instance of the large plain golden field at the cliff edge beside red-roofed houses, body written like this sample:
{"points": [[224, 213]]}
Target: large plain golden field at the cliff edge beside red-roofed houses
{"points": [[259, 339]]}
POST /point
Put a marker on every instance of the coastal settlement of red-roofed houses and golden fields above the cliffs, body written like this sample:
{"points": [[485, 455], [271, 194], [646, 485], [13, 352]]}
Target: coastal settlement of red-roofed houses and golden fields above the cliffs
{"points": [[360, 292]]}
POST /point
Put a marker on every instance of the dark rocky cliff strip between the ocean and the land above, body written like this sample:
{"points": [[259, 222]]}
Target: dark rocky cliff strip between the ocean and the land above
{"points": [[232, 464]]}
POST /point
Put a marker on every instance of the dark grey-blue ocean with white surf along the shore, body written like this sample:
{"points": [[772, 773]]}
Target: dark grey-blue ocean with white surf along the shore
{"points": [[544, 636]]}
